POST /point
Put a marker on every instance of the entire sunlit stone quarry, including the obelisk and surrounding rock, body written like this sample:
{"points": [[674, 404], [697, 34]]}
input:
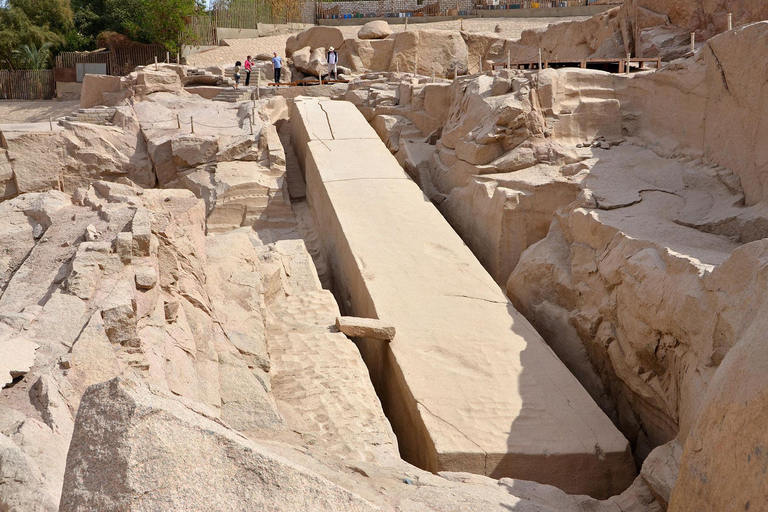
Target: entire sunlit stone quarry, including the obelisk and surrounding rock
{"points": [[574, 262]]}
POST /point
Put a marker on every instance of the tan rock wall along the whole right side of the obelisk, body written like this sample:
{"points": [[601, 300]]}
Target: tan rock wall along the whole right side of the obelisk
{"points": [[619, 227]]}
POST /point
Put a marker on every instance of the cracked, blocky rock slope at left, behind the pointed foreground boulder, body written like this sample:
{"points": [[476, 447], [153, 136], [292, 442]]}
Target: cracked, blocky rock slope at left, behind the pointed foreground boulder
{"points": [[115, 287]]}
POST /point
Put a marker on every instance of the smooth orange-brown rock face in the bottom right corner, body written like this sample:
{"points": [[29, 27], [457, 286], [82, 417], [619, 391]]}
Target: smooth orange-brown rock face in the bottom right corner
{"points": [[724, 458]]}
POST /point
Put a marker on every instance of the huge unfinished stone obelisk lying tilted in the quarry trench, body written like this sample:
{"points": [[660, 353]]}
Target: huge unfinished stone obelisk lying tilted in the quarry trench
{"points": [[361, 261]]}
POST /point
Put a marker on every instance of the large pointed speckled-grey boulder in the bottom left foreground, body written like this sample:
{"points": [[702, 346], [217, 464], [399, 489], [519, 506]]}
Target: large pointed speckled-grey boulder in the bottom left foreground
{"points": [[134, 449]]}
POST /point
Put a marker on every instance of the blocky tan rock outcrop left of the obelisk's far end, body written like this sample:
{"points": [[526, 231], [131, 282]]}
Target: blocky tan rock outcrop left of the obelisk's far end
{"points": [[152, 142]]}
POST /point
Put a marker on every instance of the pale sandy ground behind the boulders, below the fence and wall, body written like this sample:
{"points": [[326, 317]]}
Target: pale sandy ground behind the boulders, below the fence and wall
{"points": [[238, 49]]}
